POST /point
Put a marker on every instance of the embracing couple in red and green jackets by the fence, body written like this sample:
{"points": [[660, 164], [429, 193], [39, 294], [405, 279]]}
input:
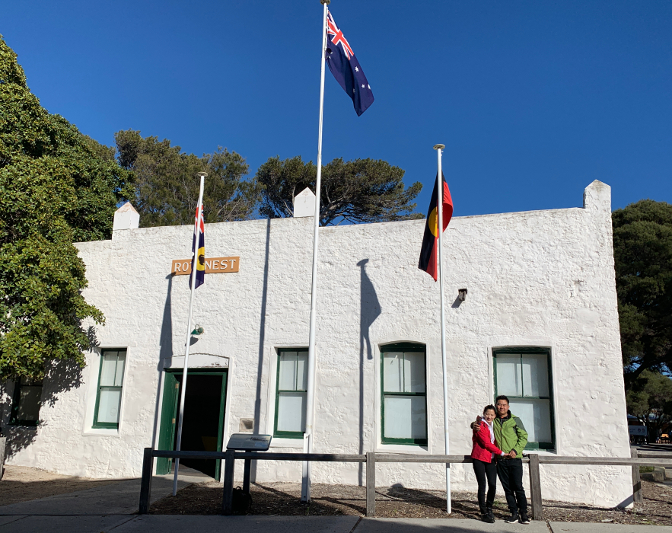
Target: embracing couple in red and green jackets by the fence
{"points": [[498, 443]]}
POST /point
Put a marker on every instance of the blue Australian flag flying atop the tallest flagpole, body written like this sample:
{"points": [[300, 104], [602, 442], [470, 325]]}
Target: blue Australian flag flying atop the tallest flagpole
{"points": [[345, 67]]}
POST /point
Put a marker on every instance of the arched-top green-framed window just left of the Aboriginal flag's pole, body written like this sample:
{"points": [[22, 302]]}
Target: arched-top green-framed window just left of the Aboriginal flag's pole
{"points": [[404, 401]]}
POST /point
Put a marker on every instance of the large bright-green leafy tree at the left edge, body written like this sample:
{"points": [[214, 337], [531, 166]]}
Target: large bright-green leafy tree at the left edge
{"points": [[54, 189]]}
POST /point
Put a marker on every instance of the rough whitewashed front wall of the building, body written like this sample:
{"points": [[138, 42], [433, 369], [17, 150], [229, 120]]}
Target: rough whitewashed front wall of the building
{"points": [[539, 278]]}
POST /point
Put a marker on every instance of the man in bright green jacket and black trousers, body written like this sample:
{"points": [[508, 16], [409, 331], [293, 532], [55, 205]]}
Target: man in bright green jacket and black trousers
{"points": [[511, 438]]}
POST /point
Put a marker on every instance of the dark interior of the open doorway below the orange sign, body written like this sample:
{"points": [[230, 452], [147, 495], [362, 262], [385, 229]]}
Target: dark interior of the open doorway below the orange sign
{"points": [[202, 421]]}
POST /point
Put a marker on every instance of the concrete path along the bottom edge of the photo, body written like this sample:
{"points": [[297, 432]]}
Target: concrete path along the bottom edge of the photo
{"points": [[293, 524]]}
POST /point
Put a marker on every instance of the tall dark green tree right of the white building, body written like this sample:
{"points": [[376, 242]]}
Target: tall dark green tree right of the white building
{"points": [[643, 261]]}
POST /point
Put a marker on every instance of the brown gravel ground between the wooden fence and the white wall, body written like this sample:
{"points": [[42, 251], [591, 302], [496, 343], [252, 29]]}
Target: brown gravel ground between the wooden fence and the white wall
{"points": [[399, 502]]}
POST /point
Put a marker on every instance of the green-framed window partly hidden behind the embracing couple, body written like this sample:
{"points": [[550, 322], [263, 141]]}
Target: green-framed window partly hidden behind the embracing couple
{"points": [[524, 376]]}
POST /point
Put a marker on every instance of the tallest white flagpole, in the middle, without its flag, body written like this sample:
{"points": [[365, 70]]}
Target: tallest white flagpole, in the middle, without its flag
{"points": [[310, 394]]}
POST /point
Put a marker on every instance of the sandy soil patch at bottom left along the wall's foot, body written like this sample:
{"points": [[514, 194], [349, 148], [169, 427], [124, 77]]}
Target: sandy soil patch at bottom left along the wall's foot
{"points": [[21, 484]]}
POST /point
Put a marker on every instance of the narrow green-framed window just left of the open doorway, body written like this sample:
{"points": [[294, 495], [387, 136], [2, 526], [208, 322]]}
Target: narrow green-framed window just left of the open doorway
{"points": [[110, 380]]}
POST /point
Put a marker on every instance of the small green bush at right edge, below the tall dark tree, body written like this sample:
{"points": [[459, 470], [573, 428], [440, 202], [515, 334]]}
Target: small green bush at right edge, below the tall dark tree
{"points": [[650, 400]]}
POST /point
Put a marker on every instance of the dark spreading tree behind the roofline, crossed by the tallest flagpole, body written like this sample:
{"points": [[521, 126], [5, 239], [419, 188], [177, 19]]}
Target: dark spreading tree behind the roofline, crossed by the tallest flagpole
{"points": [[363, 190]]}
